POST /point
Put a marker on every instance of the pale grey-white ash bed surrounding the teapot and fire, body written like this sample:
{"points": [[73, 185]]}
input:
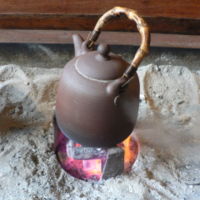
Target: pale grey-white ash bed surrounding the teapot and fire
{"points": [[168, 166]]}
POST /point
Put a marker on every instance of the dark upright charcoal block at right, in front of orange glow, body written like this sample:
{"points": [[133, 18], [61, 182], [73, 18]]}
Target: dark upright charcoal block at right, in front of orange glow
{"points": [[114, 163]]}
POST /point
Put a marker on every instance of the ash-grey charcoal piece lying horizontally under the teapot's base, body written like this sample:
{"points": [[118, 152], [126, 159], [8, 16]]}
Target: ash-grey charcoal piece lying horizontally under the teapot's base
{"points": [[84, 153]]}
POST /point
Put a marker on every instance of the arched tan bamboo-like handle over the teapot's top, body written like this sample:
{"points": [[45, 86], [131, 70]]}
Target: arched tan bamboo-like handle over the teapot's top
{"points": [[142, 28]]}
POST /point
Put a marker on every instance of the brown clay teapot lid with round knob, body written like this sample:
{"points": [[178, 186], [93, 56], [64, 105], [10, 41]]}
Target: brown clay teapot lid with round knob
{"points": [[101, 64]]}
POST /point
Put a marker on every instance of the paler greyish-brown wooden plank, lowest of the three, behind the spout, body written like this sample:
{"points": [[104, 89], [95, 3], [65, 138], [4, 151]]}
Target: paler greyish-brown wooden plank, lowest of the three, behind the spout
{"points": [[114, 38]]}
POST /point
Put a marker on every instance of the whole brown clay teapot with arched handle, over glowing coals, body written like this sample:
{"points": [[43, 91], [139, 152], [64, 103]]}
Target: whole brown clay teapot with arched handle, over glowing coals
{"points": [[98, 94]]}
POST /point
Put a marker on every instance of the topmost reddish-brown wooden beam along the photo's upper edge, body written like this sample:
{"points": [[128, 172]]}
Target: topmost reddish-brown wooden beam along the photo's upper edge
{"points": [[149, 8]]}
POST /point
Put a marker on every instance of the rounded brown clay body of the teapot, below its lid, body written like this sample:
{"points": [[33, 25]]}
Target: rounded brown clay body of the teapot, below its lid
{"points": [[89, 115]]}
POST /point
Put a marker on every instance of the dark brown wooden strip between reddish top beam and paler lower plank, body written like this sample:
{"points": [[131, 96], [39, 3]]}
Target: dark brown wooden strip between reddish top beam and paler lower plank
{"points": [[66, 22]]}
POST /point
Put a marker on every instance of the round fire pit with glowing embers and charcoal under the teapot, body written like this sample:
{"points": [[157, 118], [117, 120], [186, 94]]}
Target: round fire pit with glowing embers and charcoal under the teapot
{"points": [[90, 163]]}
